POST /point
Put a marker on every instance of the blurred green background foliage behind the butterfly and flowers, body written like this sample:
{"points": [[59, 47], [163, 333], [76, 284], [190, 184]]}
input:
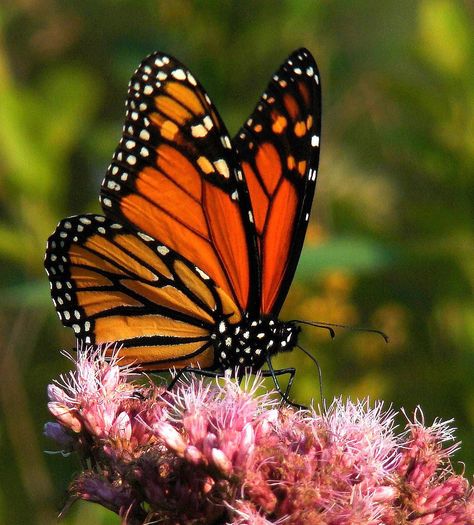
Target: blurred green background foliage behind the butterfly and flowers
{"points": [[390, 244]]}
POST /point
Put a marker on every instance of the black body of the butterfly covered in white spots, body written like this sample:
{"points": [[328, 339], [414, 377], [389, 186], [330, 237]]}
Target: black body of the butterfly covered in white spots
{"points": [[251, 341]]}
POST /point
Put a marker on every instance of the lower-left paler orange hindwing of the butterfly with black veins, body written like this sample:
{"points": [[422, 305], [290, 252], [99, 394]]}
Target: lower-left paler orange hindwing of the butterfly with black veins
{"points": [[110, 283]]}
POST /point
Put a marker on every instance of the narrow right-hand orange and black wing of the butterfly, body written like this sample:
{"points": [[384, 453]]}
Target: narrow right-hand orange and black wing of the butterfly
{"points": [[278, 148]]}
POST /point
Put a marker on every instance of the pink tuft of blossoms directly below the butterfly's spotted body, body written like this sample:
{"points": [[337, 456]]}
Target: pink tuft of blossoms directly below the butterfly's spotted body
{"points": [[218, 423]]}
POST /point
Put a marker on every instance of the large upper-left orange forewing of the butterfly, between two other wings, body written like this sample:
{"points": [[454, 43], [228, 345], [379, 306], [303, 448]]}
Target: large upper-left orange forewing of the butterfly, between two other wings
{"points": [[175, 177]]}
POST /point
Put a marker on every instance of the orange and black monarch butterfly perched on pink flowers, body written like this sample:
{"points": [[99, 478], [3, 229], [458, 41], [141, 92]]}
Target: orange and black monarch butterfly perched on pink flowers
{"points": [[200, 236]]}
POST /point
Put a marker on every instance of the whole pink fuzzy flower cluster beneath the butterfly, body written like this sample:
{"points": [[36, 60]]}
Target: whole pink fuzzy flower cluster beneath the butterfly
{"points": [[216, 452]]}
